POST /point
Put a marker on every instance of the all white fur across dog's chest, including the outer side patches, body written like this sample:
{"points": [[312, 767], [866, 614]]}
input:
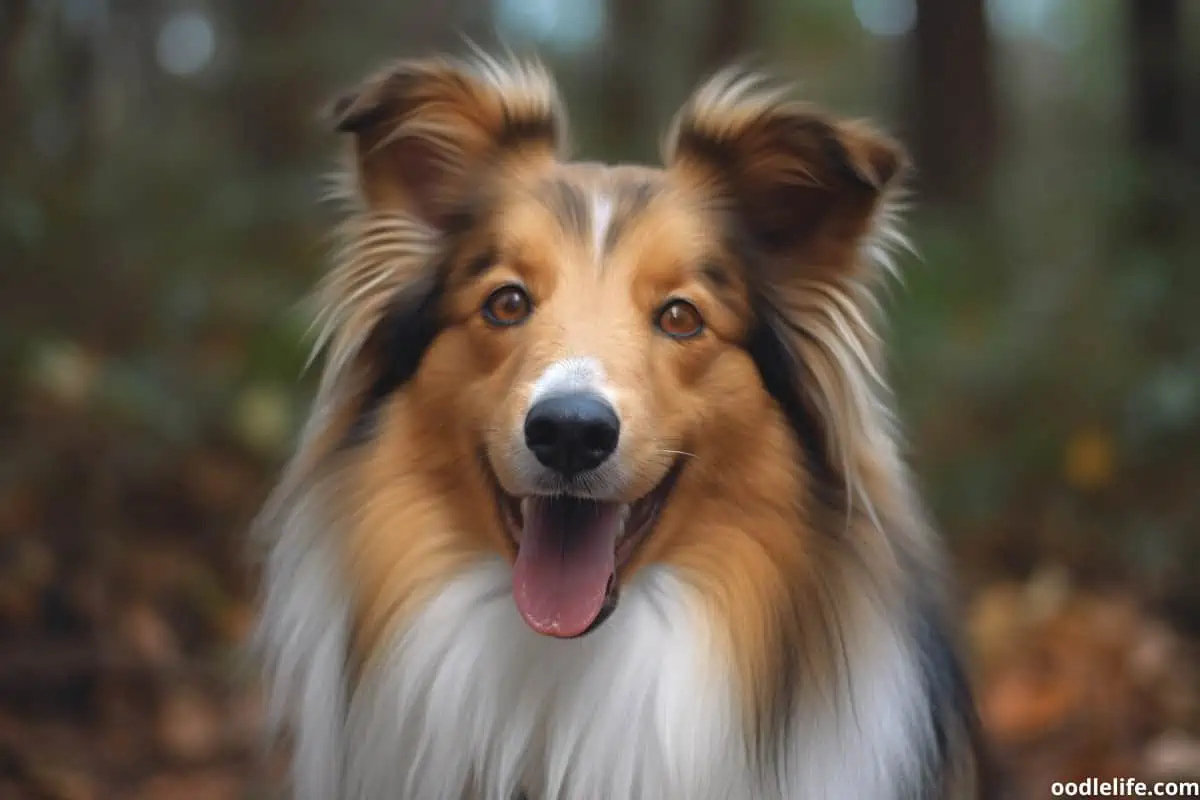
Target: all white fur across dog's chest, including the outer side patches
{"points": [[470, 702]]}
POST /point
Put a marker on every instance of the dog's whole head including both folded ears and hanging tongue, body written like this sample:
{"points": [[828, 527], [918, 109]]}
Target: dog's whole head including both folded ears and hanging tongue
{"points": [[574, 340]]}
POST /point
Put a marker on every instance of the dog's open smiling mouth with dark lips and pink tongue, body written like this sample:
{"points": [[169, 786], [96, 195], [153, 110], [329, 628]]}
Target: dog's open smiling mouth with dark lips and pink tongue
{"points": [[571, 551]]}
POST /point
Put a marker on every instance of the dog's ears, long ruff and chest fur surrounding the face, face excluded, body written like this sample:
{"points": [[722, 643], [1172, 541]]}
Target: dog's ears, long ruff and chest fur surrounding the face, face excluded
{"points": [[829, 672]]}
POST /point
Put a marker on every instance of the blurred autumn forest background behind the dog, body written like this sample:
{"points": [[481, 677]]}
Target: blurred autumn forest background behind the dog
{"points": [[160, 167]]}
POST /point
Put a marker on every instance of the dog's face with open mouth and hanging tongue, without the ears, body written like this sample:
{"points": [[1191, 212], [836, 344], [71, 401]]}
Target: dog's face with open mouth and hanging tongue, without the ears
{"points": [[592, 332]]}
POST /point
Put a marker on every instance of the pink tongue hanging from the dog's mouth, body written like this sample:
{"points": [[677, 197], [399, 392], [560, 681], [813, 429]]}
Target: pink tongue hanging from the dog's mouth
{"points": [[565, 562]]}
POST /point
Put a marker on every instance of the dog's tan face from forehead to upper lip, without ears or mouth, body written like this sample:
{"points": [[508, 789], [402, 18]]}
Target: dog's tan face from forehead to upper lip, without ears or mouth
{"points": [[587, 333]]}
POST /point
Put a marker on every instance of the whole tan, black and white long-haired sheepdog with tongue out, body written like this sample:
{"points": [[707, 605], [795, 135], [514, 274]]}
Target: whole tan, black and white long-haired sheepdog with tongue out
{"points": [[601, 497]]}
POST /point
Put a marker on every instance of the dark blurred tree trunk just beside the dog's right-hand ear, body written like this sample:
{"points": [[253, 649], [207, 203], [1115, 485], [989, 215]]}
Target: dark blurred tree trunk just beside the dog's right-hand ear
{"points": [[955, 101]]}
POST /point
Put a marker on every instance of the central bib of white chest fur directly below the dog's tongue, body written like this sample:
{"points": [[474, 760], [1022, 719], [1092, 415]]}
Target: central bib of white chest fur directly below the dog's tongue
{"points": [[472, 696]]}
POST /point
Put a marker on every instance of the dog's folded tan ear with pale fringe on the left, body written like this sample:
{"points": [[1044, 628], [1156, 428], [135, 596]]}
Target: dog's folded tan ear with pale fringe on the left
{"points": [[427, 131]]}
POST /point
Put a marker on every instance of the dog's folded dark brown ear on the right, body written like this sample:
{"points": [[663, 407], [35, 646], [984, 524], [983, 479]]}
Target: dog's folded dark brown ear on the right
{"points": [[799, 185]]}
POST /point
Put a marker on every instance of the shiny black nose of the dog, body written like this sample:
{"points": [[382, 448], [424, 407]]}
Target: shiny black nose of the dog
{"points": [[572, 434]]}
